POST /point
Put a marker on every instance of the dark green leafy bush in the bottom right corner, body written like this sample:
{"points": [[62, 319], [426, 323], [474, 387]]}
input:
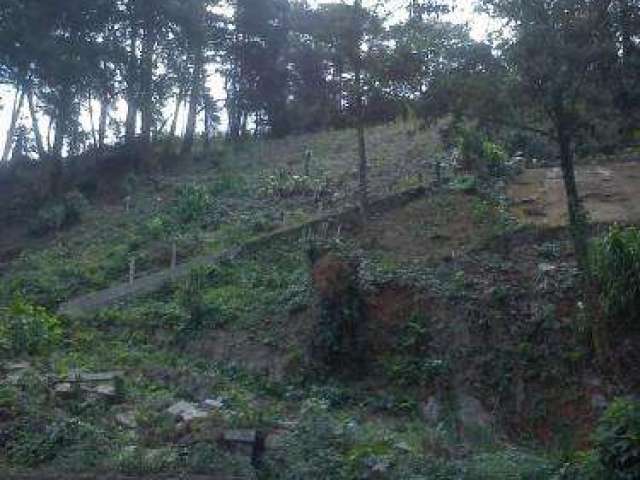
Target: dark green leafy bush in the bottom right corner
{"points": [[617, 440]]}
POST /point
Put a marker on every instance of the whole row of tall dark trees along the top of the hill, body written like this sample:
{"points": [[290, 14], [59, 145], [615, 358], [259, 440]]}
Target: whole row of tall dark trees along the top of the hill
{"points": [[566, 70]]}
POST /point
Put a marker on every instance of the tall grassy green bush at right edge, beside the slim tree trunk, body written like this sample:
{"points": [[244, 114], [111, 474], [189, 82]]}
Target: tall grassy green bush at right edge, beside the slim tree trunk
{"points": [[615, 264]]}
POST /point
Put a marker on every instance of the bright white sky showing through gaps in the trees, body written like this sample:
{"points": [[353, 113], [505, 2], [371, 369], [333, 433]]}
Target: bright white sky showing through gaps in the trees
{"points": [[479, 26]]}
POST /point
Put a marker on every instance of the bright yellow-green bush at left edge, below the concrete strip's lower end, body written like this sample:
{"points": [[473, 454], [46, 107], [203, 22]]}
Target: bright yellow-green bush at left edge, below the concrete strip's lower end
{"points": [[26, 328]]}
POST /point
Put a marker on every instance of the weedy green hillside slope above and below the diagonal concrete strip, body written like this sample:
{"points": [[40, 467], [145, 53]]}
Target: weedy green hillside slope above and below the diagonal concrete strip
{"points": [[469, 360]]}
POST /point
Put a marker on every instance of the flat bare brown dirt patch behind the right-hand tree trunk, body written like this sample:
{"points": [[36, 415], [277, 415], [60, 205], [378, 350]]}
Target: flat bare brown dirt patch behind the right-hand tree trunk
{"points": [[611, 193]]}
